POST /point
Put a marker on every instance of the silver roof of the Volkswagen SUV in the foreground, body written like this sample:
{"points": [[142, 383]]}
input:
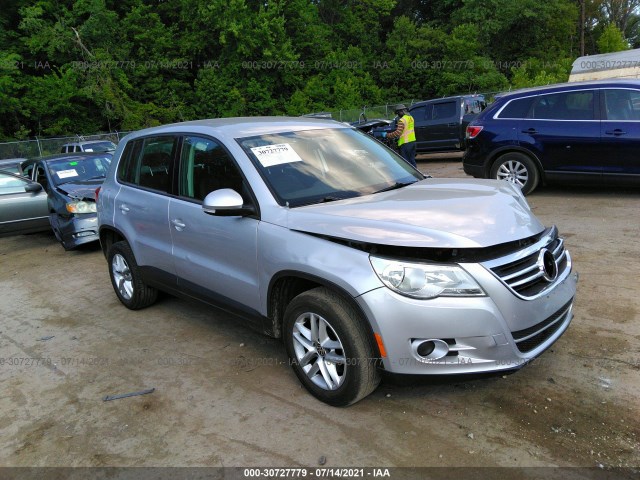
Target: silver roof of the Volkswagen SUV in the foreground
{"points": [[239, 127]]}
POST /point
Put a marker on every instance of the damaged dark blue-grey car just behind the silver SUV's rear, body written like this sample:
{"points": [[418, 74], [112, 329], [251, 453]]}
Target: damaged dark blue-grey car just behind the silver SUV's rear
{"points": [[70, 181]]}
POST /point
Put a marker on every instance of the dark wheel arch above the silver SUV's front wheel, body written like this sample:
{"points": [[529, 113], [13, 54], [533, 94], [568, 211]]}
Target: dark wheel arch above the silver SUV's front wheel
{"points": [[288, 284]]}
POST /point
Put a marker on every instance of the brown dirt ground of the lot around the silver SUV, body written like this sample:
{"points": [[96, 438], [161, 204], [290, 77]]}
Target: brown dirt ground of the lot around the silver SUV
{"points": [[224, 395]]}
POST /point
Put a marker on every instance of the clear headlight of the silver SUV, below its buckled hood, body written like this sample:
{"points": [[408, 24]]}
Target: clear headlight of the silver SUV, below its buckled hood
{"points": [[424, 280]]}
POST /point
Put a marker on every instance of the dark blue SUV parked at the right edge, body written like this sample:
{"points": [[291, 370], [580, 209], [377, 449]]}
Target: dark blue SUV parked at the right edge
{"points": [[578, 133]]}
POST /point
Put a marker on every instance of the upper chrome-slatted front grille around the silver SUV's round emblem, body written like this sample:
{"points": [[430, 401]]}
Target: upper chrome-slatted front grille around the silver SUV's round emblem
{"points": [[521, 271]]}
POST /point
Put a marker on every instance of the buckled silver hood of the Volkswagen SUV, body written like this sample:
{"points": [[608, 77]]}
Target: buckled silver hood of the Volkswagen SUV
{"points": [[432, 213]]}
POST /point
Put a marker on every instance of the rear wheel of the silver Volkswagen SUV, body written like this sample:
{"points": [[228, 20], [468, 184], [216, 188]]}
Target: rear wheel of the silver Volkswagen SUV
{"points": [[126, 278]]}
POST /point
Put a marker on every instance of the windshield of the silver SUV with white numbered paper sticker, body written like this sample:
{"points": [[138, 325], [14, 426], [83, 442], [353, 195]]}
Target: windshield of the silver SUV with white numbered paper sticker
{"points": [[314, 166]]}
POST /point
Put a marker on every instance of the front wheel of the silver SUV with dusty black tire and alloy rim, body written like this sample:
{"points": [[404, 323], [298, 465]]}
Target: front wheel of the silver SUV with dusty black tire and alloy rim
{"points": [[330, 347]]}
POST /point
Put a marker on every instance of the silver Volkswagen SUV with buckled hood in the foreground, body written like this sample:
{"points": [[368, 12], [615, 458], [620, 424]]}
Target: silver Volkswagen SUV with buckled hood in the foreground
{"points": [[319, 234]]}
